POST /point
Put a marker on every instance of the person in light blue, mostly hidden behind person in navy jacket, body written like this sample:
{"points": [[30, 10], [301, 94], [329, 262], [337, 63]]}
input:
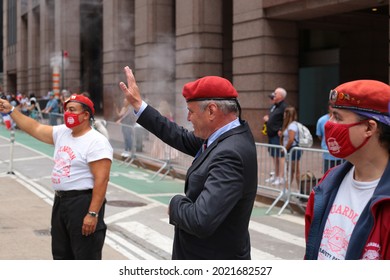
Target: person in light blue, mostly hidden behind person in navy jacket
{"points": [[329, 161]]}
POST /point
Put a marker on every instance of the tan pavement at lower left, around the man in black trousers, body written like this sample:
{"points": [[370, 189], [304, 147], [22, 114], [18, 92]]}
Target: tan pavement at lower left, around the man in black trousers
{"points": [[25, 224]]}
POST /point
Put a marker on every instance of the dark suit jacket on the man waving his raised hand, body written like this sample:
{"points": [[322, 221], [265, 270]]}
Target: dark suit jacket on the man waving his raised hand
{"points": [[211, 220]]}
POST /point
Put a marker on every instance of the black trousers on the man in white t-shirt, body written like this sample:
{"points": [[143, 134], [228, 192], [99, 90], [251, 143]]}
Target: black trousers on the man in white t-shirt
{"points": [[66, 222]]}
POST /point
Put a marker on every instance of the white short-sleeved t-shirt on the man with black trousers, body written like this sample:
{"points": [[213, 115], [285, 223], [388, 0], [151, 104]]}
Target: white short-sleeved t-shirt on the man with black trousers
{"points": [[72, 155]]}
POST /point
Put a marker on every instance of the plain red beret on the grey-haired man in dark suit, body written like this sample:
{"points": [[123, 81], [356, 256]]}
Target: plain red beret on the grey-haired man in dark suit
{"points": [[209, 87]]}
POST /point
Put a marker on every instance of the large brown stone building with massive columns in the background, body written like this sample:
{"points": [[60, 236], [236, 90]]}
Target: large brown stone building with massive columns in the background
{"points": [[305, 46]]}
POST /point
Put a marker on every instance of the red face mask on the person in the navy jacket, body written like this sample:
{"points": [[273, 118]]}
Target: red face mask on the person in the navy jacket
{"points": [[338, 140]]}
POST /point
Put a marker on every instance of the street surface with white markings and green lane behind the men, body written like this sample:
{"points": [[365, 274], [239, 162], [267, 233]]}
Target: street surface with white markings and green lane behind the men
{"points": [[136, 211]]}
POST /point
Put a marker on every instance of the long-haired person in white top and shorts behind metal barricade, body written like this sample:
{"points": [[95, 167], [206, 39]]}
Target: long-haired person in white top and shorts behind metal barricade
{"points": [[289, 139]]}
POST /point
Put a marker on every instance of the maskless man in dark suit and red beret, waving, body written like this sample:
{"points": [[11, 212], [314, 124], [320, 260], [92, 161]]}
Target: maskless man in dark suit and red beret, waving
{"points": [[211, 220]]}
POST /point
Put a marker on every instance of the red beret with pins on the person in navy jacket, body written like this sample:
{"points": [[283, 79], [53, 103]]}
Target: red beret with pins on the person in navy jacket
{"points": [[366, 97]]}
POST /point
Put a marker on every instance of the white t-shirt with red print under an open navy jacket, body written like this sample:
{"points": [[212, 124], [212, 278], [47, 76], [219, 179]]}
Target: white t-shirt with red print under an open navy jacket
{"points": [[350, 201]]}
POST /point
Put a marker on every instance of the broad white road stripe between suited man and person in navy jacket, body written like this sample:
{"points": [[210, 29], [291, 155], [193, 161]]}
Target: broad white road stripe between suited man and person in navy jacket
{"points": [[277, 233]]}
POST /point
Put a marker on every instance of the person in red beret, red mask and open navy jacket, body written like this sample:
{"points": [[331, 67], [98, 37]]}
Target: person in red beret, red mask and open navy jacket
{"points": [[348, 213]]}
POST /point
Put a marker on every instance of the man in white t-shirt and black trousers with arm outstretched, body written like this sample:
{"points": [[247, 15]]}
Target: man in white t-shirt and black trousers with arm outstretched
{"points": [[82, 162]]}
